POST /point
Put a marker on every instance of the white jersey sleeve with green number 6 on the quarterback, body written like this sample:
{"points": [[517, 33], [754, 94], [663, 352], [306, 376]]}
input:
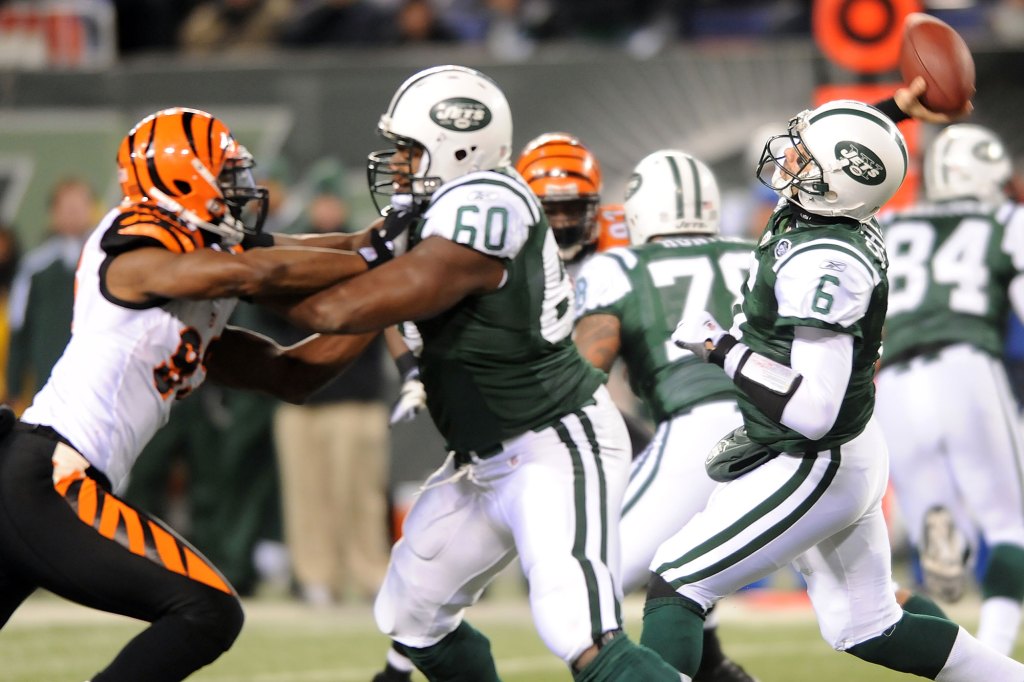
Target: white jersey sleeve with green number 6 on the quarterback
{"points": [[827, 282]]}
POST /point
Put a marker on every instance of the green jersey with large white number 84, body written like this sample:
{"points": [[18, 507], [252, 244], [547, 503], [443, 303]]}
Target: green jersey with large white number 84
{"points": [[951, 266]]}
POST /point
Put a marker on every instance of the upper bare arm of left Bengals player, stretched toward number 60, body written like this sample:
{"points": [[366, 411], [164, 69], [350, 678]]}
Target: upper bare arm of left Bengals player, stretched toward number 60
{"points": [[149, 274]]}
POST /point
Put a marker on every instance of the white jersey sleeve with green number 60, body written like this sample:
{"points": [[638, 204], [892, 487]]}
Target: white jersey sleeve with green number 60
{"points": [[489, 212]]}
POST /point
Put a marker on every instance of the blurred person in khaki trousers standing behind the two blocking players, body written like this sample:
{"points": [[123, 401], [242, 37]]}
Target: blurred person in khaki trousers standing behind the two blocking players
{"points": [[334, 454]]}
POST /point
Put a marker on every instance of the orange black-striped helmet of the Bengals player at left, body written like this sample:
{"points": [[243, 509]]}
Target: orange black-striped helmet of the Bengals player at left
{"points": [[189, 163]]}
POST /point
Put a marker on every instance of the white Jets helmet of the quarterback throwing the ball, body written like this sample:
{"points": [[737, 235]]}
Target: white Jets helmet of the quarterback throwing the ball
{"points": [[844, 159]]}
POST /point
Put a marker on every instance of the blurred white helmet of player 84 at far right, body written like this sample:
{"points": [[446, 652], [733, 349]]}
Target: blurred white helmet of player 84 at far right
{"points": [[967, 161]]}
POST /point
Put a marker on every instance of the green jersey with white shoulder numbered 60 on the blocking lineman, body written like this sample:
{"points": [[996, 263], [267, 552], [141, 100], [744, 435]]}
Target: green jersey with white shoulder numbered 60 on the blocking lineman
{"points": [[498, 365]]}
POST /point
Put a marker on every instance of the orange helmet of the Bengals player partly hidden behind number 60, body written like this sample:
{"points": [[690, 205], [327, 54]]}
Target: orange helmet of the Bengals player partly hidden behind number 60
{"points": [[567, 179]]}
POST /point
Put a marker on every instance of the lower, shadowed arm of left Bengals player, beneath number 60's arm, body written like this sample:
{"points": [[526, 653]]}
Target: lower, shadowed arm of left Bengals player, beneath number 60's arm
{"points": [[242, 359]]}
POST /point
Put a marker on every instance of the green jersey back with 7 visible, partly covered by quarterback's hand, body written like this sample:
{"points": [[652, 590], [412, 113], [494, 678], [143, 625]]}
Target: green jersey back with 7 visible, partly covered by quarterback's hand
{"points": [[650, 289]]}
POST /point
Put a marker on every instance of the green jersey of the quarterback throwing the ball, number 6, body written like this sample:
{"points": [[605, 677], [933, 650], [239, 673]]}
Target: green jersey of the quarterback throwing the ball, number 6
{"points": [[829, 276]]}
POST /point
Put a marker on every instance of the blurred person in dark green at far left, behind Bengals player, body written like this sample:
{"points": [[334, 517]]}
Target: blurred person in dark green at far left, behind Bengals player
{"points": [[39, 311]]}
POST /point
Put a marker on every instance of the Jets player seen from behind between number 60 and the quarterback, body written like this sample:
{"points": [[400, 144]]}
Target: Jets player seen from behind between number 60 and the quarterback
{"points": [[628, 302]]}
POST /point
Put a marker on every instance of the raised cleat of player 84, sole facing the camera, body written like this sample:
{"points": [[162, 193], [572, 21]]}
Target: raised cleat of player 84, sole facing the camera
{"points": [[943, 556]]}
